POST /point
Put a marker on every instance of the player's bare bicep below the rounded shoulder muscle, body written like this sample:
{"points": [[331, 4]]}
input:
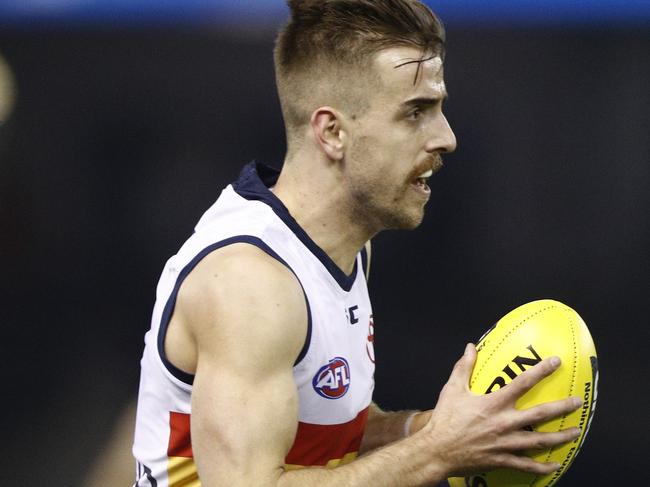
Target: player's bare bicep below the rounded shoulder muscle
{"points": [[242, 426]]}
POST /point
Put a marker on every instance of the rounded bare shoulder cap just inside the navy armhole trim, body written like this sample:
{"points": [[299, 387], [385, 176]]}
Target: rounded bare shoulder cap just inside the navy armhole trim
{"points": [[241, 285]]}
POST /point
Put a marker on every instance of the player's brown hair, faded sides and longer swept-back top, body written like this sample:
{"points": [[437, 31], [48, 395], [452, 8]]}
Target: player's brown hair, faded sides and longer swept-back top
{"points": [[324, 55]]}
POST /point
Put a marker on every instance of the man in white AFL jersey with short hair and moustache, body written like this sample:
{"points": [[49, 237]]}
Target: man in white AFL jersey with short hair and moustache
{"points": [[260, 361]]}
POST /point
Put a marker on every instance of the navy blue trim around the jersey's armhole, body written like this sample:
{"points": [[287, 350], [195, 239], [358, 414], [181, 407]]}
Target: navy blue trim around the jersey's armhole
{"points": [[171, 302]]}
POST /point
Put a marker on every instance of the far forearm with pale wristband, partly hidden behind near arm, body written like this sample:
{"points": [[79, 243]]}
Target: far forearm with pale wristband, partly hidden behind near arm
{"points": [[386, 427]]}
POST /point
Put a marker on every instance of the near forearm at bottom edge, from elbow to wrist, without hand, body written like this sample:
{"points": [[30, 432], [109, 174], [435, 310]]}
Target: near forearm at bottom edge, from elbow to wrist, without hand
{"points": [[405, 463]]}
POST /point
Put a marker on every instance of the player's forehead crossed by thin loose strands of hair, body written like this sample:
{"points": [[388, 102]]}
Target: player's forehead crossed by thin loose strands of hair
{"points": [[407, 69]]}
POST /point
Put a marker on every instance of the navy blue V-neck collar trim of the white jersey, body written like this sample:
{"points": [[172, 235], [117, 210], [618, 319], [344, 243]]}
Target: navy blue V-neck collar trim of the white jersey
{"points": [[253, 184]]}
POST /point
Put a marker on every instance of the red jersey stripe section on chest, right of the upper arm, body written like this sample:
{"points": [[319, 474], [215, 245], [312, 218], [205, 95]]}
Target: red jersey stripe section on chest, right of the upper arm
{"points": [[316, 444]]}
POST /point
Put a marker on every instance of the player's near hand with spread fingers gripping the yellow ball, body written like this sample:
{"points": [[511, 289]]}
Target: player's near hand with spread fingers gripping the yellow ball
{"points": [[472, 433]]}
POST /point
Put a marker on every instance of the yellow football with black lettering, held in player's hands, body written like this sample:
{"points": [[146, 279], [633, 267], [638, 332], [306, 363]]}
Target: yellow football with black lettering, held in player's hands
{"points": [[519, 340]]}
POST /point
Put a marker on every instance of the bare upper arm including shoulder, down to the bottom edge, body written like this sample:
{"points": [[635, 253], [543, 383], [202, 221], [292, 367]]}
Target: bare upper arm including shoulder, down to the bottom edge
{"points": [[249, 328]]}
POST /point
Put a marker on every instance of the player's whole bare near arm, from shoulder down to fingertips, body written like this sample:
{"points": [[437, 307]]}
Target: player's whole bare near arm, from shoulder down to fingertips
{"points": [[247, 315]]}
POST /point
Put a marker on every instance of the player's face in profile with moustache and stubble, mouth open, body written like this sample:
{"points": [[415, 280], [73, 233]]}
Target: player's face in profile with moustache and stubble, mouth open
{"points": [[395, 145]]}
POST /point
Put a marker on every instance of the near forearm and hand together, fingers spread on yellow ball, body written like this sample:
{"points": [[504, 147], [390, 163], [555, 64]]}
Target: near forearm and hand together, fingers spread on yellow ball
{"points": [[465, 433]]}
